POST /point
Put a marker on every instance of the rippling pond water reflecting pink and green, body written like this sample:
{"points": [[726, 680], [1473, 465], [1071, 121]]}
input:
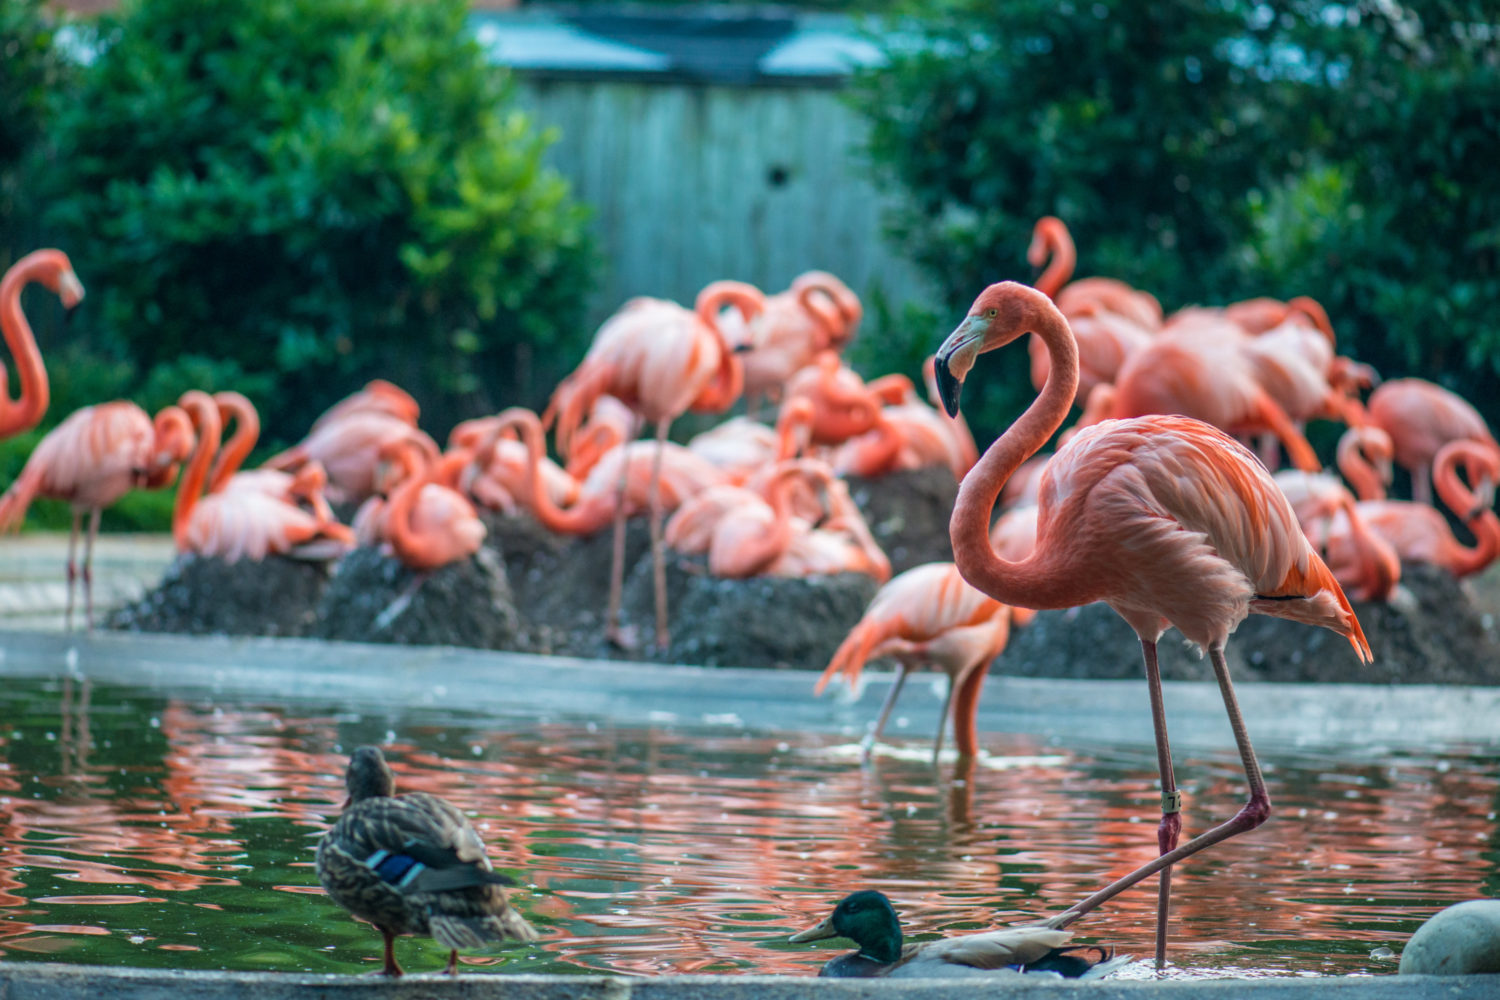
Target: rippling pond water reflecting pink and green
{"points": [[176, 833]]}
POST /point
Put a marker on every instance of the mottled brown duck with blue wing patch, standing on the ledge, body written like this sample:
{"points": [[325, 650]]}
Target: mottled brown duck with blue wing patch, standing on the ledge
{"points": [[412, 864]]}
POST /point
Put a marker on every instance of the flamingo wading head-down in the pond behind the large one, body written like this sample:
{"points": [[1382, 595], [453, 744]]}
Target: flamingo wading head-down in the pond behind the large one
{"points": [[928, 617]]}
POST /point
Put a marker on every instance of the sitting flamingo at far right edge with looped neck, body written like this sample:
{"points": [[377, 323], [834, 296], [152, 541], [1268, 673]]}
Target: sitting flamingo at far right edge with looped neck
{"points": [[1421, 534]]}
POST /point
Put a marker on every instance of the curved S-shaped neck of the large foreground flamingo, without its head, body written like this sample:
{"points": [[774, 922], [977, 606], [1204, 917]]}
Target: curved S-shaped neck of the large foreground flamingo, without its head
{"points": [[1025, 584]]}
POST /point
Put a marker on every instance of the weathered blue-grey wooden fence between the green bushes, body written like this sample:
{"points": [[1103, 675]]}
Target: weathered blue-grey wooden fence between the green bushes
{"points": [[692, 184]]}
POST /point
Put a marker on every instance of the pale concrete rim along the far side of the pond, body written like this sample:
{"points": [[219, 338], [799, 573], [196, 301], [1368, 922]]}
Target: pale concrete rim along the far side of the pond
{"points": [[509, 684]]}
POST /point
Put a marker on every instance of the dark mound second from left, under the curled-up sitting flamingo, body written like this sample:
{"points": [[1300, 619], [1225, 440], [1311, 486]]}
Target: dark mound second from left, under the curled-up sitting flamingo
{"points": [[374, 597]]}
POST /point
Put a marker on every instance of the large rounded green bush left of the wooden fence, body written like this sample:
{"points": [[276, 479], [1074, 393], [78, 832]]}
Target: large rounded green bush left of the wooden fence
{"points": [[313, 193]]}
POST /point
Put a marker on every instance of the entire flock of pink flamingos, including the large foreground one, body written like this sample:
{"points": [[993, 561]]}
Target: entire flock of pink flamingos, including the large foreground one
{"points": [[1151, 504]]}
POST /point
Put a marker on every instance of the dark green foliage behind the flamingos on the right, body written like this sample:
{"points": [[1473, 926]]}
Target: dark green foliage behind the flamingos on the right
{"points": [[1208, 154]]}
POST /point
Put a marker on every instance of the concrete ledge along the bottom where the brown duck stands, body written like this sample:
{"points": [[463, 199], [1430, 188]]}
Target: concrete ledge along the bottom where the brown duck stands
{"points": [[47, 981]]}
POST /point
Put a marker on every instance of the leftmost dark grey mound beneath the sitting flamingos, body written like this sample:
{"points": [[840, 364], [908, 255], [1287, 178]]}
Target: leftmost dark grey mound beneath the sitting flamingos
{"points": [[205, 596]]}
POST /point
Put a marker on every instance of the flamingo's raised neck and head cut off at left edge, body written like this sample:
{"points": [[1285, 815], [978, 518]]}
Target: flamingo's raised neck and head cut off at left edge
{"points": [[53, 272]]}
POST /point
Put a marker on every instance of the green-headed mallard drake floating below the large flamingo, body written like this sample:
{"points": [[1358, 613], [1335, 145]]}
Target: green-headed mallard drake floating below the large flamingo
{"points": [[869, 920]]}
